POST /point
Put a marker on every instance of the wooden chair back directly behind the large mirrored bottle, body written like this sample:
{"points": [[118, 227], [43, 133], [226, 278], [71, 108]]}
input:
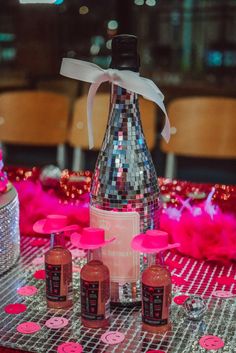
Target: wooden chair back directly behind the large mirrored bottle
{"points": [[78, 132]]}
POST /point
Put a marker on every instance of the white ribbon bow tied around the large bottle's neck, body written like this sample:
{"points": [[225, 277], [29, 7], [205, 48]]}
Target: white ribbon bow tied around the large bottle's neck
{"points": [[89, 72]]}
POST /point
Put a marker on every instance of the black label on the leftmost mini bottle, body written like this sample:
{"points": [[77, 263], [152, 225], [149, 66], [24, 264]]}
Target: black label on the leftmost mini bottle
{"points": [[53, 283]]}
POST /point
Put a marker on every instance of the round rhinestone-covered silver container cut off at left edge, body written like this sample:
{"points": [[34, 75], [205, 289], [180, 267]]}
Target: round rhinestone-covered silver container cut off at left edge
{"points": [[9, 229]]}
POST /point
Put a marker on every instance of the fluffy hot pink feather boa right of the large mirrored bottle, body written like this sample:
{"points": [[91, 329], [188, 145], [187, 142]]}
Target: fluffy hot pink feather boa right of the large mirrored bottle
{"points": [[202, 236]]}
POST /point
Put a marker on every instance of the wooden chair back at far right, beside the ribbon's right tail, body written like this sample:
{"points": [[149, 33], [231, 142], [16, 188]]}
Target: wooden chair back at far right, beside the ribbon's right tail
{"points": [[202, 127]]}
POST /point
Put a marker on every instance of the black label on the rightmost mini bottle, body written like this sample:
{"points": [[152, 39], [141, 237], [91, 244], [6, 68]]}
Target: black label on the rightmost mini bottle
{"points": [[153, 300]]}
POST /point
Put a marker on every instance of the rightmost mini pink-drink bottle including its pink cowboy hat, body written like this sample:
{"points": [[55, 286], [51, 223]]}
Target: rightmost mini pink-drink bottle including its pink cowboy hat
{"points": [[156, 281]]}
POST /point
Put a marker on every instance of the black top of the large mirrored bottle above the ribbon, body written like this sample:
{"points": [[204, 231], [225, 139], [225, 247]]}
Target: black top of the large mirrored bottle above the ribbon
{"points": [[124, 53]]}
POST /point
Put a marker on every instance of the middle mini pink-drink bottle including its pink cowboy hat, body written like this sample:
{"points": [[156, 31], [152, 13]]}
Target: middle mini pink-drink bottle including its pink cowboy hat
{"points": [[94, 278]]}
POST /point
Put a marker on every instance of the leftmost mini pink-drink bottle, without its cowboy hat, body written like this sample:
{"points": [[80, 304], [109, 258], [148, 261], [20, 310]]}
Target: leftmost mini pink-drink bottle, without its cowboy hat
{"points": [[58, 268]]}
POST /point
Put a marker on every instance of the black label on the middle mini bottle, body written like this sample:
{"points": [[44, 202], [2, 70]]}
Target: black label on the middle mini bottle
{"points": [[89, 300]]}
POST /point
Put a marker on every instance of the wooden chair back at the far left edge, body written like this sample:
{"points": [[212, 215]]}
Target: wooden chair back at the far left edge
{"points": [[37, 118]]}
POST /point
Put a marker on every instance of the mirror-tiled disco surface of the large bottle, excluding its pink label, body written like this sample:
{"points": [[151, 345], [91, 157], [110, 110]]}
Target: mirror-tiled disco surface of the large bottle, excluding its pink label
{"points": [[125, 178]]}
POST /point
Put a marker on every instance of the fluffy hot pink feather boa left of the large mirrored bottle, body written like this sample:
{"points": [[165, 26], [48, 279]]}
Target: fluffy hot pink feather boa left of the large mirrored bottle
{"points": [[35, 204]]}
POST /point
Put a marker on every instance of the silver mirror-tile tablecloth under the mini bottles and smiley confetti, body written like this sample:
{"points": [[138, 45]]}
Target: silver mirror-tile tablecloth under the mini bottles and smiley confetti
{"points": [[197, 278]]}
